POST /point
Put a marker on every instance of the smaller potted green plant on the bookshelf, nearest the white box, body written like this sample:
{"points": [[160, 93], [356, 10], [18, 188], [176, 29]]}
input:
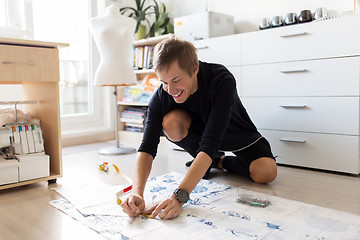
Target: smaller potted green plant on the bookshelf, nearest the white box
{"points": [[162, 24]]}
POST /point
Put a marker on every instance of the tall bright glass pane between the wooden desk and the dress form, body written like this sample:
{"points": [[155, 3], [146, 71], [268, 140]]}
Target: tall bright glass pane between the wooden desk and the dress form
{"points": [[67, 21]]}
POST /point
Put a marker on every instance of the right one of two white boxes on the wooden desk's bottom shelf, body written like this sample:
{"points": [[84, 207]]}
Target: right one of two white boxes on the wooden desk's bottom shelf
{"points": [[33, 166]]}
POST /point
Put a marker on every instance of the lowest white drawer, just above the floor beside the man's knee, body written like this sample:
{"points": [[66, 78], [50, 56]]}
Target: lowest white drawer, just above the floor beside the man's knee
{"points": [[323, 151]]}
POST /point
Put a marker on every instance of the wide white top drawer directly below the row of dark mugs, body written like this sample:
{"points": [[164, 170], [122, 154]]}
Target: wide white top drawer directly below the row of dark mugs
{"points": [[303, 41]]}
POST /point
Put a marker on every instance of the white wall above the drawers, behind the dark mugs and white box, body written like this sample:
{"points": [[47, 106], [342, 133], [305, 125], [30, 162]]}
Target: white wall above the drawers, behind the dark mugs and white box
{"points": [[247, 13]]}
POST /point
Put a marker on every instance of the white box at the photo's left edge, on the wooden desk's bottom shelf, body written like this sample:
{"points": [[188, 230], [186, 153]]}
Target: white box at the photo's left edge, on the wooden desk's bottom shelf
{"points": [[9, 171]]}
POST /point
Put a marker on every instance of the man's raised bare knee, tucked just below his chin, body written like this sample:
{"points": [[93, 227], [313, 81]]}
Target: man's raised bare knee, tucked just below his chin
{"points": [[176, 124]]}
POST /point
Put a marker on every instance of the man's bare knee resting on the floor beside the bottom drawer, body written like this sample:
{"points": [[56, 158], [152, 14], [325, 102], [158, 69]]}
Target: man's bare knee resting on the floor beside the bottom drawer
{"points": [[263, 170]]}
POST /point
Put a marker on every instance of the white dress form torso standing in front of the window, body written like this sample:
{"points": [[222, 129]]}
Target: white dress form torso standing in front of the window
{"points": [[114, 34]]}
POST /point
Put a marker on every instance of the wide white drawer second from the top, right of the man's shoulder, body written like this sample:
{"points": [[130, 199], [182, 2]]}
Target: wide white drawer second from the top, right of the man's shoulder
{"points": [[328, 77]]}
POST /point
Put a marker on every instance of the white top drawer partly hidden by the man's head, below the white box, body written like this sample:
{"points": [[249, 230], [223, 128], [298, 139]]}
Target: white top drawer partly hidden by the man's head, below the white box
{"points": [[224, 50]]}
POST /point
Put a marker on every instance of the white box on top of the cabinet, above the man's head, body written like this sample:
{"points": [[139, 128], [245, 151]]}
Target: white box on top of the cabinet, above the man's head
{"points": [[203, 25]]}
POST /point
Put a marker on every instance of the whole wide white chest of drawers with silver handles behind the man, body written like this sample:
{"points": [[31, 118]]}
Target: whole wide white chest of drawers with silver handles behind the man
{"points": [[300, 86]]}
